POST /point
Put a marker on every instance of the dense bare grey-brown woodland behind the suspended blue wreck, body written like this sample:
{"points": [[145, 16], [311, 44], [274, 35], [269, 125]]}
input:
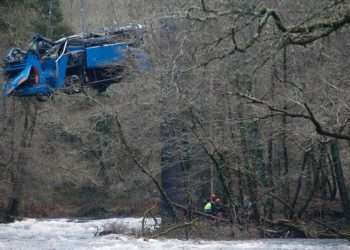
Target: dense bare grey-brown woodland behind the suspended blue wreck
{"points": [[245, 99]]}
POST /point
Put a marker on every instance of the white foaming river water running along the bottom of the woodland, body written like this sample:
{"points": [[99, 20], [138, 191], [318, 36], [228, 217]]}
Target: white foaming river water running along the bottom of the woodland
{"points": [[65, 234]]}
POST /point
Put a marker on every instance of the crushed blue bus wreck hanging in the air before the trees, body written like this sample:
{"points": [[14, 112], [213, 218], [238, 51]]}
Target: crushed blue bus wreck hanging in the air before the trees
{"points": [[71, 63]]}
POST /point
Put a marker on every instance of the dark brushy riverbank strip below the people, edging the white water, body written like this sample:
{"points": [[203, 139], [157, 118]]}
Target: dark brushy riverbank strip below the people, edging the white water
{"points": [[213, 230]]}
